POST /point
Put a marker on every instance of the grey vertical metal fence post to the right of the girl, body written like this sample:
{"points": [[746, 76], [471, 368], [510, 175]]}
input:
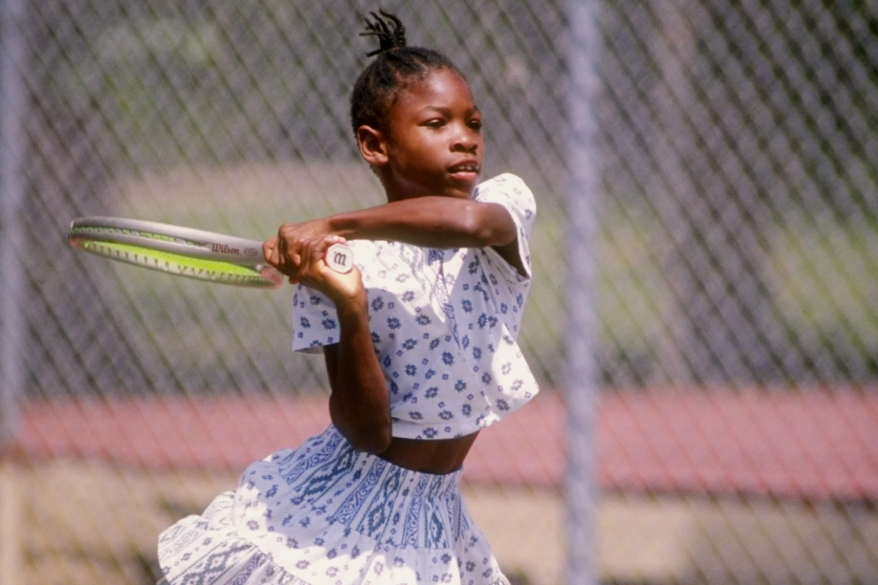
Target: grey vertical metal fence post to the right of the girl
{"points": [[581, 389]]}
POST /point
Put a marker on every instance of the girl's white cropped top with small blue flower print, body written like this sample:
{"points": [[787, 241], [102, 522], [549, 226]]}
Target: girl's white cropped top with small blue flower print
{"points": [[444, 324]]}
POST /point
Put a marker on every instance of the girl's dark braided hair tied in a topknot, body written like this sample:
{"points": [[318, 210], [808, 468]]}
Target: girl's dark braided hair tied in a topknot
{"points": [[395, 67]]}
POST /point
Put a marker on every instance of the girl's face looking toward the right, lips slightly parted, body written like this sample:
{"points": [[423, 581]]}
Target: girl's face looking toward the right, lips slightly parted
{"points": [[434, 142]]}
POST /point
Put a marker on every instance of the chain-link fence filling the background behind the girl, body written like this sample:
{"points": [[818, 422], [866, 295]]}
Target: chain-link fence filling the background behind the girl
{"points": [[735, 338]]}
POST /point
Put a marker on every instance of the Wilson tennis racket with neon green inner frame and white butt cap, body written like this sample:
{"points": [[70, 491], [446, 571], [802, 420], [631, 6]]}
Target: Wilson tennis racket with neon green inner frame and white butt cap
{"points": [[187, 252]]}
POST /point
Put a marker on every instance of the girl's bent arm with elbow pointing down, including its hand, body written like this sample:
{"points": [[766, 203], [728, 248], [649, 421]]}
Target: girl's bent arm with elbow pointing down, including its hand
{"points": [[359, 404]]}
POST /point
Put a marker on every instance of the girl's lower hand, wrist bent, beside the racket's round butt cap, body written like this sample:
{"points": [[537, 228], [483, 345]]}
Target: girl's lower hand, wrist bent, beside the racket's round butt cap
{"points": [[312, 271]]}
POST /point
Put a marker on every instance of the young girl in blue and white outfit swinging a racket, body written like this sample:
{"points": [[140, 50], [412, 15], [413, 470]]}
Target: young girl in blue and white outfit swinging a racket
{"points": [[420, 348]]}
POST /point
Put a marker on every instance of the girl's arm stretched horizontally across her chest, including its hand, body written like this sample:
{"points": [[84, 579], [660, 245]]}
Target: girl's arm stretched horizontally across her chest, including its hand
{"points": [[431, 221]]}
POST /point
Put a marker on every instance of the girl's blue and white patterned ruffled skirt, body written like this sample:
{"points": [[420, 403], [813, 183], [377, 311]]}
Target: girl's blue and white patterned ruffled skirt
{"points": [[326, 514]]}
